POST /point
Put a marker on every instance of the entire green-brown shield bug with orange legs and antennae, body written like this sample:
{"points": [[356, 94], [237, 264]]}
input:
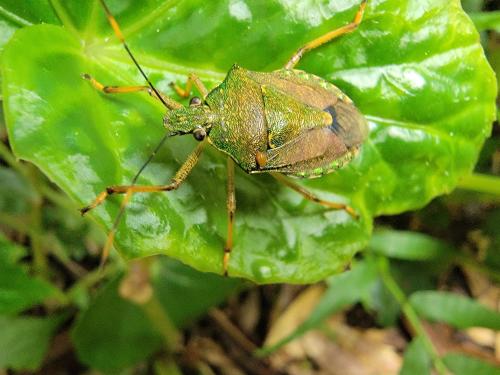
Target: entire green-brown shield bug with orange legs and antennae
{"points": [[286, 123]]}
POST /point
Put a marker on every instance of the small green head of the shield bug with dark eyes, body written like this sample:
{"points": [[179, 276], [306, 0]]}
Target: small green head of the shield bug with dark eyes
{"points": [[197, 119]]}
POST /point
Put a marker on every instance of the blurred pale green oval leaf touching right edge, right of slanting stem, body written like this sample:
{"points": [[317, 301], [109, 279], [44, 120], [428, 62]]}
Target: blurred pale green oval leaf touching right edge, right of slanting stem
{"points": [[459, 311]]}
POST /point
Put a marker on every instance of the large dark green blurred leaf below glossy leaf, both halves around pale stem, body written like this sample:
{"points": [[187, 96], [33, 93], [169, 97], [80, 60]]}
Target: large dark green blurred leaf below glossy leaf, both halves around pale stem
{"points": [[114, 333]]}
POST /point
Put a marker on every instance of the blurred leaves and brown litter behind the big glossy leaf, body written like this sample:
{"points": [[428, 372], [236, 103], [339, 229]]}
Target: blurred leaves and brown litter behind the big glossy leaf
{"points": [[424, 295]]}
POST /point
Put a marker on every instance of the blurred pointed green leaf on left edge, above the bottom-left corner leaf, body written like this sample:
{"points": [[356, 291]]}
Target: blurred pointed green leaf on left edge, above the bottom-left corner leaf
{"points": [[18, 290]]}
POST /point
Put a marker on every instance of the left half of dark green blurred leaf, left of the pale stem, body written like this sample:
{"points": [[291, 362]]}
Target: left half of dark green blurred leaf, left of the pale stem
{"points": [[113, 333]]}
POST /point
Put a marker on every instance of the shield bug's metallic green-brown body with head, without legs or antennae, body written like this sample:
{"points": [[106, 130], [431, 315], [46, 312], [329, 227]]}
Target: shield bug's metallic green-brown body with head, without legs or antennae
{"points": [[286, 121]]}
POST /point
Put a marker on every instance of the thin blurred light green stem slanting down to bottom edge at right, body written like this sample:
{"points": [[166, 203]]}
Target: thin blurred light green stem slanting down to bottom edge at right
{"points": [[410, 314]]}
